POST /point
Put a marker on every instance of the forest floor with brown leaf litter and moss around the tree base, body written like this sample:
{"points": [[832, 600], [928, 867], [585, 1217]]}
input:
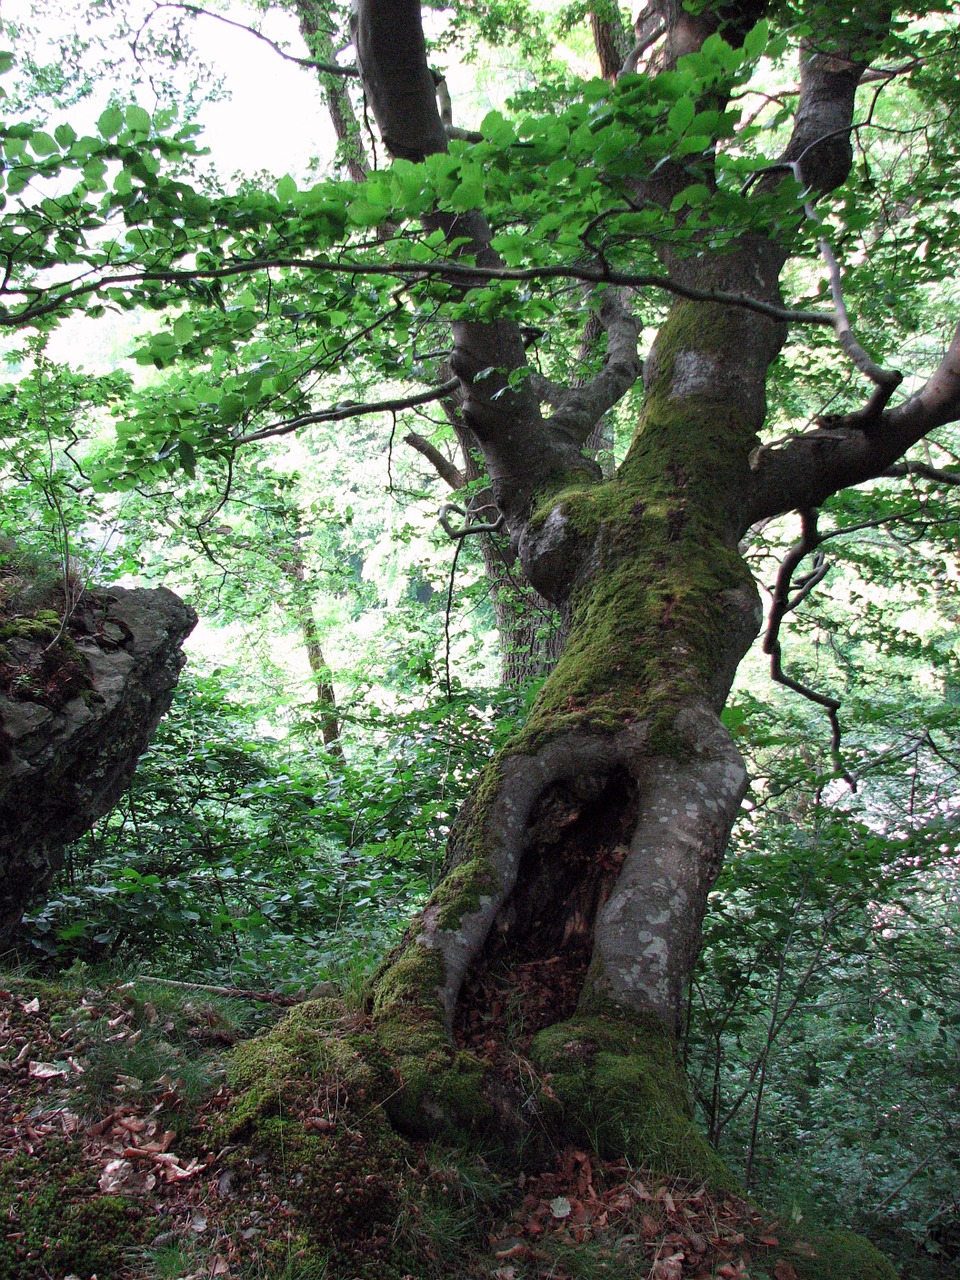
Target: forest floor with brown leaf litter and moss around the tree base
{"points": [[115, 1168]]}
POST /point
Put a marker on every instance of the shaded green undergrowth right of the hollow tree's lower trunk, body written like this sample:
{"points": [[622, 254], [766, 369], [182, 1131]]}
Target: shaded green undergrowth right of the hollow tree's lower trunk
{"points": [[825, 1026]]}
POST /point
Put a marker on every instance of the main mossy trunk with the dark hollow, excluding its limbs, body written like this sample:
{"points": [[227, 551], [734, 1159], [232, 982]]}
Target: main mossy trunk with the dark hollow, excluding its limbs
{"points": [[580, 867]]}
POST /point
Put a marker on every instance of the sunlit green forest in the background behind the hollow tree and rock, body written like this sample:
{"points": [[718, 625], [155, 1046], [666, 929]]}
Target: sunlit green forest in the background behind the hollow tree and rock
{"points": [[355, 665]]}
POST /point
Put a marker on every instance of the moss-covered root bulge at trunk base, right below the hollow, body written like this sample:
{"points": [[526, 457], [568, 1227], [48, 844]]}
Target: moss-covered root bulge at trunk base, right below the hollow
{"points": [[612, 1081]]}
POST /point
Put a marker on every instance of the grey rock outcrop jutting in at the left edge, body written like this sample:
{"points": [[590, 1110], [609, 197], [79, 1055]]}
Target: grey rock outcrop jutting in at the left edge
{"points": [[81, 694]]}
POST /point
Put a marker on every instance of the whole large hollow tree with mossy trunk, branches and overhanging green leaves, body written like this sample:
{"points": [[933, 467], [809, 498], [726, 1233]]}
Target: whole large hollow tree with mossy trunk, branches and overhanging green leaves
{"points": [[579, 868]]}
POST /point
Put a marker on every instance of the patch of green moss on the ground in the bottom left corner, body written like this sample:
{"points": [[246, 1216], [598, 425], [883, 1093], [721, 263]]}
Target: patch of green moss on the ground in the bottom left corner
{"points": [[56, 1220]]}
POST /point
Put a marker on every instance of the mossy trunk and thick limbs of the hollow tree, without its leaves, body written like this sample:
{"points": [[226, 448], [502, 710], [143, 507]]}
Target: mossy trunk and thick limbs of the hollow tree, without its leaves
{"points": [[580, 866]]}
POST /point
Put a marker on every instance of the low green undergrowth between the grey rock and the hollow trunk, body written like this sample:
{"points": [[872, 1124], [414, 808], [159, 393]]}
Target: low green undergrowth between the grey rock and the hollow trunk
{"points": [[260, 861]]}
